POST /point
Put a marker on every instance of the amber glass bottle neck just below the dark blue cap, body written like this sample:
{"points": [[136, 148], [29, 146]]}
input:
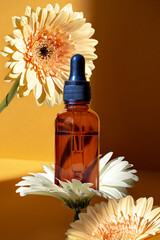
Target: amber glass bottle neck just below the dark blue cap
{"points": [[83, 105]]}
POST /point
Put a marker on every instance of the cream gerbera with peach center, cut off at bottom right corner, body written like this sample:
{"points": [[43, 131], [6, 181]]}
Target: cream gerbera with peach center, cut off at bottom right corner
{"points": [[122, 219]]}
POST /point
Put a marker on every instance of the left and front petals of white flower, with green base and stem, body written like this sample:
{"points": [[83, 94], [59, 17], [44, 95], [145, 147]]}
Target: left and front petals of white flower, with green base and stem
{"points": [[75, 195]]}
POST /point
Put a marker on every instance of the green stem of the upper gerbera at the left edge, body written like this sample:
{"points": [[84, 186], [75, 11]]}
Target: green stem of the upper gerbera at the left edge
{"points": [[9, 96]]}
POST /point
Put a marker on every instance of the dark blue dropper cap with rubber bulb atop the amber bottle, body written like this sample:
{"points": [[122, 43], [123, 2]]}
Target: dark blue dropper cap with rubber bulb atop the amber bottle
{"points": [[77, 88]]}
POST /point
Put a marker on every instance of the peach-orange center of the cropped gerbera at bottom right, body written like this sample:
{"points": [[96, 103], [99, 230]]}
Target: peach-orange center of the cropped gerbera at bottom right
{"points": [[119, 228]]}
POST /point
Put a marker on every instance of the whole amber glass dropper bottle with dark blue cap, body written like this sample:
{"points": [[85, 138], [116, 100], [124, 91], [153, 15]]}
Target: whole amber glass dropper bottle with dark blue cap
{"points": [[77, 130]]}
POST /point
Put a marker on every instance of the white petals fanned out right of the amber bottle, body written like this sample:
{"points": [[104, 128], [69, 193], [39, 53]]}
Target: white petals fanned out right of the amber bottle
{"points": [[115, 176]]}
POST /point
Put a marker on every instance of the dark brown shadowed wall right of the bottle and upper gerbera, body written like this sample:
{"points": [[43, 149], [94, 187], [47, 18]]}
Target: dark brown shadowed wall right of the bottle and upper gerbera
{"points": [[127, 79]]}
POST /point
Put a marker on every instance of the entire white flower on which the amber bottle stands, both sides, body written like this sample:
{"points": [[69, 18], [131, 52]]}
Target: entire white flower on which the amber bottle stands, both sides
{"points": [[75, 194]]}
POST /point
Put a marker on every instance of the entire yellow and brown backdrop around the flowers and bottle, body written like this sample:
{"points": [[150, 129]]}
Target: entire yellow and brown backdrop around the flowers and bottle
{"points": [[125, 92]]}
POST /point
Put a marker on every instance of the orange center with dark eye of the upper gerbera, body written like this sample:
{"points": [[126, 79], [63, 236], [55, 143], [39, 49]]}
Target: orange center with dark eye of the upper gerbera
{"points": [[48, 50]]}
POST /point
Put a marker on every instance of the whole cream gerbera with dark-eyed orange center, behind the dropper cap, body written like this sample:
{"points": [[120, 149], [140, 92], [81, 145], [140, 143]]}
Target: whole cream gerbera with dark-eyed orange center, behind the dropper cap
{"points": [[40, 49]]}
